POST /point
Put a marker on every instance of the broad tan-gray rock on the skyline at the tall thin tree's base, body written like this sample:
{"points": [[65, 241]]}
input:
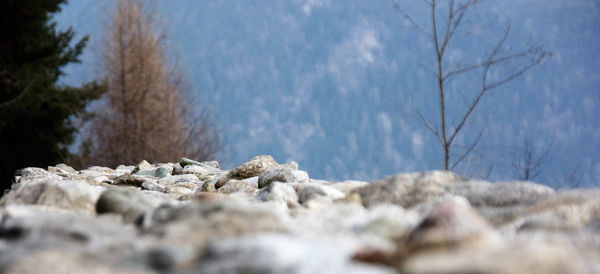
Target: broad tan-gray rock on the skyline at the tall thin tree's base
{"points": [[408, 189]]}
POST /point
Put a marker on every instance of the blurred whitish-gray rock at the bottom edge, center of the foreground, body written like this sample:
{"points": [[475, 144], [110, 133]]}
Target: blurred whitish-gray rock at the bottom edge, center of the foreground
{"points": [[278, 253]]}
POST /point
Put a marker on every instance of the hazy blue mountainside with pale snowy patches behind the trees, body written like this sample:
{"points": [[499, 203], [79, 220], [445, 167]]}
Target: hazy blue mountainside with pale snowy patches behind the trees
{"points": [[327, 83]]}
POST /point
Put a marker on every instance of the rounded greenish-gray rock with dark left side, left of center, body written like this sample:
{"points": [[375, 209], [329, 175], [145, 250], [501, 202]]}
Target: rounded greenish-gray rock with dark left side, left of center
{"points": [[127, 202]]}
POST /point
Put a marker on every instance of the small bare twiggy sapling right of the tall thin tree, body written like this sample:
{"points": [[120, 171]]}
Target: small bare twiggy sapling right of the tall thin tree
{"points": [[528, 162]]}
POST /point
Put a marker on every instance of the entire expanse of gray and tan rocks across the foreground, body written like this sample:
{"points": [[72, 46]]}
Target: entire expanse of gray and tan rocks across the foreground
{"points": [[265, 217]]}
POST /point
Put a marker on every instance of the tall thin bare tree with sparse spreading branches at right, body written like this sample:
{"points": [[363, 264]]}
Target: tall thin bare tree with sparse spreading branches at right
{"points": [[446, 26]]}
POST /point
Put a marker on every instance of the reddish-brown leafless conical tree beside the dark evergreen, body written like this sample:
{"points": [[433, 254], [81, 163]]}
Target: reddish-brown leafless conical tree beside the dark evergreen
{"points": [[147, 111]]}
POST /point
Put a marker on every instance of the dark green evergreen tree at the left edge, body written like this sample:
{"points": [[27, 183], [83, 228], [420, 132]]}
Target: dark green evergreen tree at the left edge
{"points": [[36, 114]]}
